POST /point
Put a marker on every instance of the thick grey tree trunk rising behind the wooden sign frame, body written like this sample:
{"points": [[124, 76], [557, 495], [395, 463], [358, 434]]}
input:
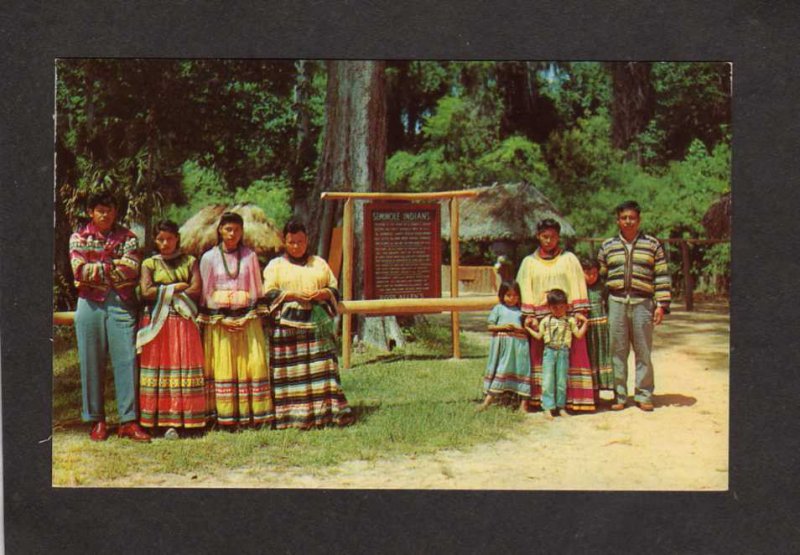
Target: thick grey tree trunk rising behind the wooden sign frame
{"points": [[353, 159]]}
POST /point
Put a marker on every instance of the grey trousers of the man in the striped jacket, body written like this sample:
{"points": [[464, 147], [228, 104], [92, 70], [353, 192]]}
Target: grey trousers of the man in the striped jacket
{"points": [[632, 324]]}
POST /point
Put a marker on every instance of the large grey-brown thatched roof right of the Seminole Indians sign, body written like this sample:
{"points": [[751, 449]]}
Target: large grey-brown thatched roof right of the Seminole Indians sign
{"points": [[504, 211]]}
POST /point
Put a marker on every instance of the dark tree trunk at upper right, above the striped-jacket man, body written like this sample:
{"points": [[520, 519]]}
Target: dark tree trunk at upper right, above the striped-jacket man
{"points": [[634, 101]]}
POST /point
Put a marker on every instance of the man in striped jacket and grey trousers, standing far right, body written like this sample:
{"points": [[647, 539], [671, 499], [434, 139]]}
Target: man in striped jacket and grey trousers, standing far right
{"points": [[637, 276]]}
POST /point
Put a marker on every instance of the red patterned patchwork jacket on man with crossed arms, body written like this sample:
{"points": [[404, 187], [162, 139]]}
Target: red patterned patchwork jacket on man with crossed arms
{"points": [[102, 262]]}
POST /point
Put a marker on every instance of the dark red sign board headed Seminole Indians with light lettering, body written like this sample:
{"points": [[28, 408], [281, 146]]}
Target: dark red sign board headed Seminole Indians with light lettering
{"points": [[402, 250]]}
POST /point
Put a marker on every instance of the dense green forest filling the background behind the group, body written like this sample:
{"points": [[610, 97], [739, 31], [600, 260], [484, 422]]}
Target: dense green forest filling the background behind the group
{"points": [[172, 136]]}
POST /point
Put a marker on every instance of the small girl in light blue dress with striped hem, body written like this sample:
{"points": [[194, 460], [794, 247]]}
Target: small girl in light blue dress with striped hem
{"points": [[509, 363]]}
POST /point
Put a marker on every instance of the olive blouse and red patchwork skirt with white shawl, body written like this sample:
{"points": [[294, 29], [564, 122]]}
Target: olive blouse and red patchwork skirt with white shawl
{"points": [[171, 382]]}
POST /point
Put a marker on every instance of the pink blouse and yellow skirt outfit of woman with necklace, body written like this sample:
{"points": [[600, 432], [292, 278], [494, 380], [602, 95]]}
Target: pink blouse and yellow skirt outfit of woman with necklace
{"points": [[236, 364]]}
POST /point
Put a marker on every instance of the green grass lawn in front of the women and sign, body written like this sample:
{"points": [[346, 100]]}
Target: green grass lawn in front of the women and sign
{"points": [[411, 401]]}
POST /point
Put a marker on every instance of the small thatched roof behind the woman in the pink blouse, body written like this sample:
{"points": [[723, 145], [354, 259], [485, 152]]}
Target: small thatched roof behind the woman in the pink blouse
{"points": [[199, 233]]}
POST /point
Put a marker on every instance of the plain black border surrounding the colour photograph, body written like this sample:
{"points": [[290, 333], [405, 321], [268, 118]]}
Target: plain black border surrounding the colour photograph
{"points": [[754, 515]]}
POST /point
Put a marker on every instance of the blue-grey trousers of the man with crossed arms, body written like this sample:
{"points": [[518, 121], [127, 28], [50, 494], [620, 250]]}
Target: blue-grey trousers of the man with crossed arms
{"points": [[101, 327]]}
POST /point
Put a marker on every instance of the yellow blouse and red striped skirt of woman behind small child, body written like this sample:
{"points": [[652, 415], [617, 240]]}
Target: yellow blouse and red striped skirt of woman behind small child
{"points": [[537, 275]]}
